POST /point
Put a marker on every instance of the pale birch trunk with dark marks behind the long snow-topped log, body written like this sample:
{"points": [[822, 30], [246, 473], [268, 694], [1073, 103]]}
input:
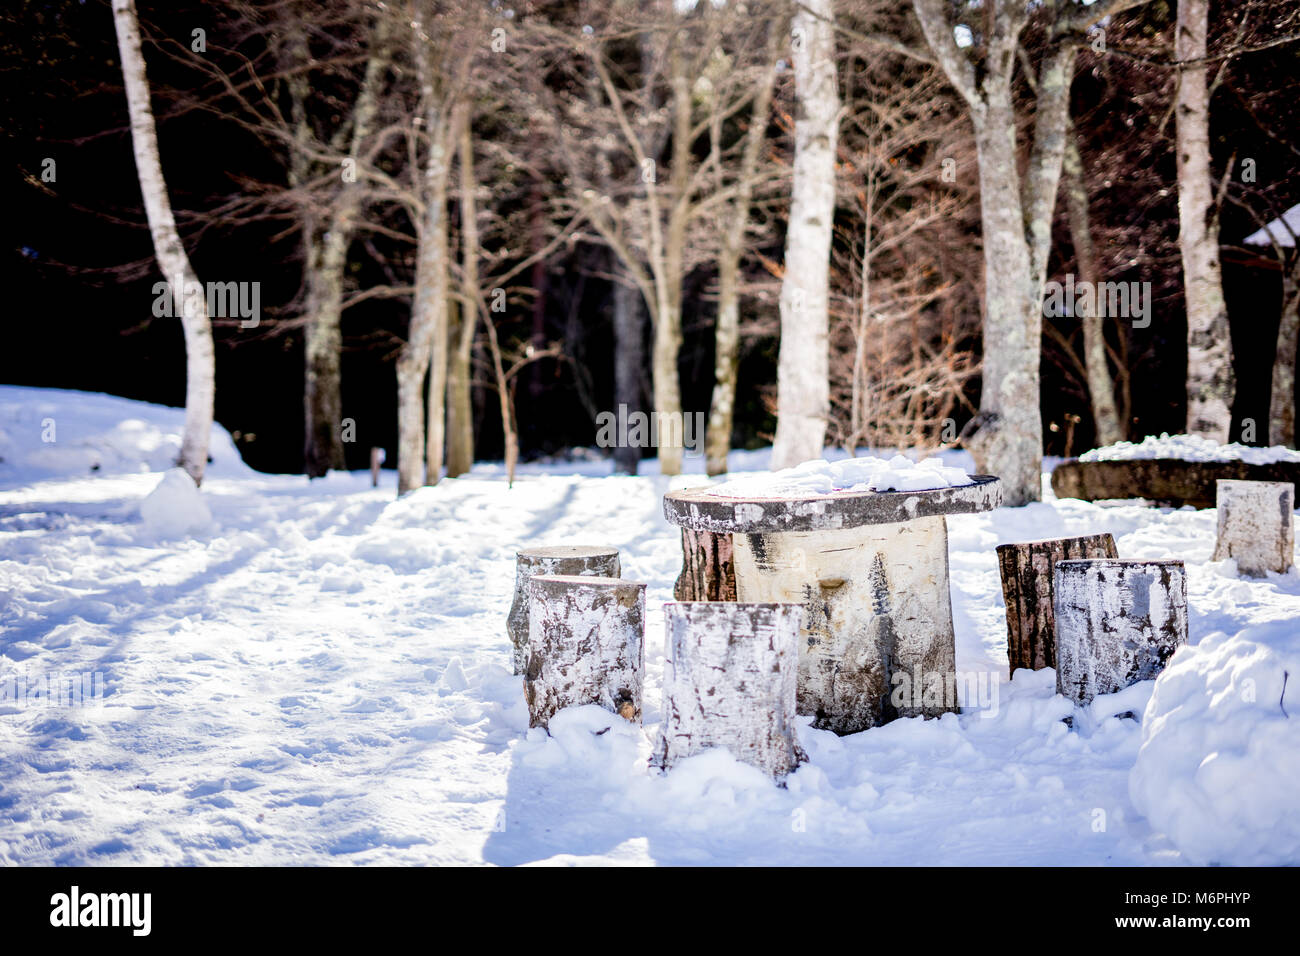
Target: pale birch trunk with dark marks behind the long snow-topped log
{"points": [[1211, 383]]}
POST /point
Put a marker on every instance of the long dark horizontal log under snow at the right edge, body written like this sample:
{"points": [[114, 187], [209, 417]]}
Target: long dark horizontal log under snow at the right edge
{"points": [[1165, 481]]}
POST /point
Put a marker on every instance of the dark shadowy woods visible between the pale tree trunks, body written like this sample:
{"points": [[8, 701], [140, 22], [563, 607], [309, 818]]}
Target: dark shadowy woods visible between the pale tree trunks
{"points": [[80, 267]]}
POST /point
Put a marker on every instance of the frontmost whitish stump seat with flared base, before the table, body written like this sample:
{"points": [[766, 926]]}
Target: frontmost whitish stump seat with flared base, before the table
{"points": [[730, 681]]}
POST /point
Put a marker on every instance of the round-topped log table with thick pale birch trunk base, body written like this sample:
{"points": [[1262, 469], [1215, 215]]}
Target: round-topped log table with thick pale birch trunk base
{"points": [[872, 573]]}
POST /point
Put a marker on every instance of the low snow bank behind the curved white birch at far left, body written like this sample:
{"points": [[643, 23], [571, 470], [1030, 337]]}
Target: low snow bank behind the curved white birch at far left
{"points": [[57, 434]]}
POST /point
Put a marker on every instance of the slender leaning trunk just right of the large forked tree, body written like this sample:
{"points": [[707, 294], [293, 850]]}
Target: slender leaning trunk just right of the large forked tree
{"points": [[1102, 388]]}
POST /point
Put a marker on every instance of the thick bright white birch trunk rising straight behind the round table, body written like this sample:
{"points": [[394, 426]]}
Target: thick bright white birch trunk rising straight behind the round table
{"points": [[803, 374]]}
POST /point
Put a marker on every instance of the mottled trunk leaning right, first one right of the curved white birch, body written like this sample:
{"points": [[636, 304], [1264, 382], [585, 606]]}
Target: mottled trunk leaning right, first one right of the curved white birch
{"points": [[323, 397]]}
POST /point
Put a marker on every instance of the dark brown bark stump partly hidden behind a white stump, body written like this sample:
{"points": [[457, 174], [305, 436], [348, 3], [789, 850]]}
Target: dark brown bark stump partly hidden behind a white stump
{"points": [[1028, 587]]}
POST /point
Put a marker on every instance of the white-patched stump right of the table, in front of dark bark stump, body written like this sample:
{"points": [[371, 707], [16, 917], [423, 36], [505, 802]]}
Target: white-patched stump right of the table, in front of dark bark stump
{"points": [[1117, 622]]}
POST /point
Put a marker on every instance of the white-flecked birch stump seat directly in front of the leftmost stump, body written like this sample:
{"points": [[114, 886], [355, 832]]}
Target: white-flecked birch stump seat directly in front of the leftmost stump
{"points": [[586, 646]]}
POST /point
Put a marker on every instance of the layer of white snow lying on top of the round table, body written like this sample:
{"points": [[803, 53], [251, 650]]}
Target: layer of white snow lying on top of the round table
{"points": [[898, 474]]}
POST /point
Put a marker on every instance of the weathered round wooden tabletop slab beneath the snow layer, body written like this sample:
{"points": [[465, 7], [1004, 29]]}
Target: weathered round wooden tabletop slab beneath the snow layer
{"points": [[700, 511]]}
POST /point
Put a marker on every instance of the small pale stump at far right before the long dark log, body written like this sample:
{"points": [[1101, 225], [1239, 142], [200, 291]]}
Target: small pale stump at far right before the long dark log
{"points": [[1256, 525]]}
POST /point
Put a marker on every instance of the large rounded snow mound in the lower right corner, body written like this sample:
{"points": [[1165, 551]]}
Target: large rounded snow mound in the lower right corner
{"points": [[1220, 763]]}
